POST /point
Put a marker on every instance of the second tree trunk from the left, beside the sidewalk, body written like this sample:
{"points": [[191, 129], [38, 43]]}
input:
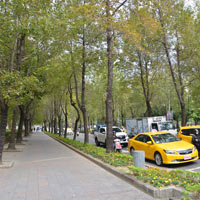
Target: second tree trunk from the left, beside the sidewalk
{"points": [[13, 130]]}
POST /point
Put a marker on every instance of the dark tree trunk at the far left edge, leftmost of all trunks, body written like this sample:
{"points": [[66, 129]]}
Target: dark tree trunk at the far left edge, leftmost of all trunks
{"points": [[3, 124]]}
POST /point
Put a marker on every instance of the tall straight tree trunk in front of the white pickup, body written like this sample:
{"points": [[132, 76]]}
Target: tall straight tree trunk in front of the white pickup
{"points": [[109, 103]]}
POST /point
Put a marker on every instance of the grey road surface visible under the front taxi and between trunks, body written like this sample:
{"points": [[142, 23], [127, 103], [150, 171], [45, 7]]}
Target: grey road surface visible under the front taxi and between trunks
{"points": [[192, 166]]}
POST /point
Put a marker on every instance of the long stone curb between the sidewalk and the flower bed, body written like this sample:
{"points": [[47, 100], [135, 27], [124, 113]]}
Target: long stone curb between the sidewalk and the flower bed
{"points": [[170, 192]]}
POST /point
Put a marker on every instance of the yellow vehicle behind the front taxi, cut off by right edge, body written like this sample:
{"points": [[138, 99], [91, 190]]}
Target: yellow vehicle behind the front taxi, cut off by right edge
{"points": [[186, 132]]}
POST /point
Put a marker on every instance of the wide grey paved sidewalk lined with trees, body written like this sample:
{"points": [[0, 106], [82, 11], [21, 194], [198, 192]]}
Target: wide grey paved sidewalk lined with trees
{"points": [[47, 170]]}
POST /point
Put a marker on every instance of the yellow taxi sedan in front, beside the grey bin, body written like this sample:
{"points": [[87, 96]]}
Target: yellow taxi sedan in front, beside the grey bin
{"points": [[163, 148]]}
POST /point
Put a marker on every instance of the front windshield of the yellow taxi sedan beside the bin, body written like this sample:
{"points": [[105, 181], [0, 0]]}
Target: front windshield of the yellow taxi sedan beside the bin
{"points": [[164, 138]]}
